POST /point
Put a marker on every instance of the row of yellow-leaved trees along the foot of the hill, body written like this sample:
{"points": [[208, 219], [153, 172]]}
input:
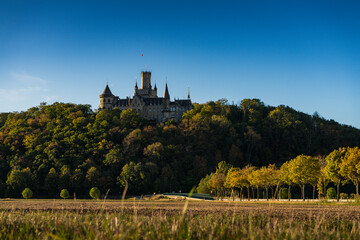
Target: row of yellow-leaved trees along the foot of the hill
{"points": [[340, 166]]}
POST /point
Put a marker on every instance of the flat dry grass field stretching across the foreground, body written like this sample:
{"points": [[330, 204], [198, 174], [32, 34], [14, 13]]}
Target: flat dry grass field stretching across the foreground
{"points": [[81, 219]]}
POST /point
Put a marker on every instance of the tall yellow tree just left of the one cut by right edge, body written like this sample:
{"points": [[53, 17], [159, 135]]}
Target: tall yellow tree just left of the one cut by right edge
{"points": [[332, 169]]}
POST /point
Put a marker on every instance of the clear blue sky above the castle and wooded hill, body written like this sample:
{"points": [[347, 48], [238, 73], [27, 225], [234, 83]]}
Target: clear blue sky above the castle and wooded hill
{"points": [[304, 54]]}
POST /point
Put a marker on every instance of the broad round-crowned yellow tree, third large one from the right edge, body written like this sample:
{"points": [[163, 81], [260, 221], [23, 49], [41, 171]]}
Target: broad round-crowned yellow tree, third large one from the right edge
{"points": [[304, 170]]}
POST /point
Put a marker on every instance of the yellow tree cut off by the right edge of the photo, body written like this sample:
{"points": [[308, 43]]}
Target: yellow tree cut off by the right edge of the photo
{"points": [[350, 167]]}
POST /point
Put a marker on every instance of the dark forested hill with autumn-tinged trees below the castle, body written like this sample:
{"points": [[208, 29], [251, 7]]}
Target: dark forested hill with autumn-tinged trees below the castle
{"points": [[49, 148]]}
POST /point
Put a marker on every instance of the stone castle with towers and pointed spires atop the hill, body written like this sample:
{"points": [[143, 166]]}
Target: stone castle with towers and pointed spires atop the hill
{"points": [[146, 102]]}
